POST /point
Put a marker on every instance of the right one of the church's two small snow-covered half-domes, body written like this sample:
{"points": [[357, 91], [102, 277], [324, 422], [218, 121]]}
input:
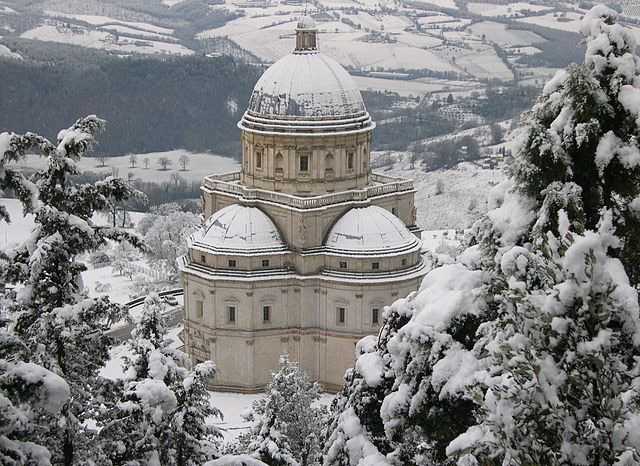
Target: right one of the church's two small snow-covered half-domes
{"points": [[370, 230]]}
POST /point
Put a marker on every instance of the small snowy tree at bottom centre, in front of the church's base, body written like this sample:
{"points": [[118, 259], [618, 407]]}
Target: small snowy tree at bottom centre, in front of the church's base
{"points": [[289, 422]]}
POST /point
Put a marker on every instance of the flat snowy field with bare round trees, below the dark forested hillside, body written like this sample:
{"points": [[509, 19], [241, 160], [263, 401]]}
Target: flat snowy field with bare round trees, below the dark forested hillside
{"points": [[199, 166]]}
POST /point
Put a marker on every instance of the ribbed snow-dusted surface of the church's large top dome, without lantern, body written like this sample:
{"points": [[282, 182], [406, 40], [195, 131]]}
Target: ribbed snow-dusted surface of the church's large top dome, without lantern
{"points": [[309, 85]]}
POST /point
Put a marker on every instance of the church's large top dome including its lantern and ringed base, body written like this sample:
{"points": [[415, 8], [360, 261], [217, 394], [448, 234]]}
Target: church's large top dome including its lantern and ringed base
{"points": [[306, 92]]}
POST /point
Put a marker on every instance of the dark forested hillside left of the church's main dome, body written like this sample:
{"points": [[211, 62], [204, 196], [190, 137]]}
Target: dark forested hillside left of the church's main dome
{"points": [[151, 104]]}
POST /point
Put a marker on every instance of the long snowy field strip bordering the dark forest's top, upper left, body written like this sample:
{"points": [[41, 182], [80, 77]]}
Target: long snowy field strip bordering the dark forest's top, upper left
{"points": [[77, 35]]}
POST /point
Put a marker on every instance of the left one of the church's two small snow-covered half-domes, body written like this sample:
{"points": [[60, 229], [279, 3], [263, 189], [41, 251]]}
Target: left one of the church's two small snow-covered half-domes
{"points": [[238, 228]]}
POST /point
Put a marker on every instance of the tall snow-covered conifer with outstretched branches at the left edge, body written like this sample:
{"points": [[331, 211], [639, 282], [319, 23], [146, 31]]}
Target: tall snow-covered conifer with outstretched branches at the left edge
{"points": [[62, 328]]}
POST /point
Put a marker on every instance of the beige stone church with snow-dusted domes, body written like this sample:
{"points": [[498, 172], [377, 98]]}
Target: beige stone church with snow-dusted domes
{"points": [[303, 247]]}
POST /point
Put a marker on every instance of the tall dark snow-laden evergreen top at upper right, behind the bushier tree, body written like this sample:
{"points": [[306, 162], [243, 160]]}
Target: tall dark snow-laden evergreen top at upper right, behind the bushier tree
{"points": [[584, 129]]}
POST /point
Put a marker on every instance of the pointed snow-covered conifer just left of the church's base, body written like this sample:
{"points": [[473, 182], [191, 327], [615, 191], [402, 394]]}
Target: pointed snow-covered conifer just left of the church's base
{"points": [[163, 414]]}
